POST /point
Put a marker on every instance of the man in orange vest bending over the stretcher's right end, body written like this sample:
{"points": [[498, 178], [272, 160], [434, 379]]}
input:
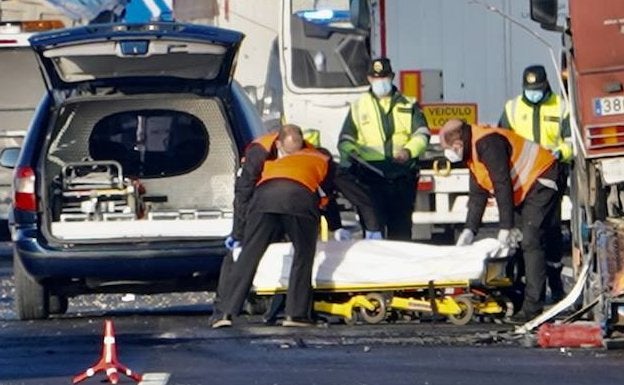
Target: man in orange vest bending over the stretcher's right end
{"points": [[522, 177]]}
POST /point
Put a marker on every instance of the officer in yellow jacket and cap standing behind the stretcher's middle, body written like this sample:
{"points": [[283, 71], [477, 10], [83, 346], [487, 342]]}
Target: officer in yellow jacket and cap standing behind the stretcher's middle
{"points": [[381, 139]]}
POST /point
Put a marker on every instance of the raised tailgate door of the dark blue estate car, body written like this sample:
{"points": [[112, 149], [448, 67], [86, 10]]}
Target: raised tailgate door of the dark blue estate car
{"points": [[126, 54]]}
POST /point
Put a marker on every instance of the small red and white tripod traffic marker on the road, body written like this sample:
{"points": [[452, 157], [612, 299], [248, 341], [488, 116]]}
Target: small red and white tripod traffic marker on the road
{"points": [[108, 363]]}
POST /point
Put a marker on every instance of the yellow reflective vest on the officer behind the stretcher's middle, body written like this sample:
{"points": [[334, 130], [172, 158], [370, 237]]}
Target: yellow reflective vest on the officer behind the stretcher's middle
{"points": [[365, 113]]}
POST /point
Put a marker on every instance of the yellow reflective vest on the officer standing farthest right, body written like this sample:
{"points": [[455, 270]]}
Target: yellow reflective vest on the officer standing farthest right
{"points": [[520, 117]]}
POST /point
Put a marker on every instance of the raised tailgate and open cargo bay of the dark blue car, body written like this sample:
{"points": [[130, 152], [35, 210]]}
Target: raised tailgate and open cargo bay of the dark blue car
{"points": [[156, 163]]}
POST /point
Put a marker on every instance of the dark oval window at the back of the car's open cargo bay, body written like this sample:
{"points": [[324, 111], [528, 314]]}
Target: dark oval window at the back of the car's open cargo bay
{"points": [[151, 143]]}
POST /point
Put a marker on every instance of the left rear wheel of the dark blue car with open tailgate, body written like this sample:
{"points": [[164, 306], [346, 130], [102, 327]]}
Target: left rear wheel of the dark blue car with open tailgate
{"points": [[30, 295]]}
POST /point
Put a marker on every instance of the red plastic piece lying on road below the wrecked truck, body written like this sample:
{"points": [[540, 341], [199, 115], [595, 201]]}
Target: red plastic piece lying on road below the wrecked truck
{"points": [[575, 335]]}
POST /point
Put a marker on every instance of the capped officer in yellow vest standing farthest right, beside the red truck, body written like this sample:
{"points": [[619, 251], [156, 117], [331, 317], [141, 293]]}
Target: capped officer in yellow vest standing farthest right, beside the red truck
{"points": [[540, 115]]}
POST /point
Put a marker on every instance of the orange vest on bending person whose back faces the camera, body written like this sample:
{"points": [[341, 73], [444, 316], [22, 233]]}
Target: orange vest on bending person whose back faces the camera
{"points": [[308, 167]]}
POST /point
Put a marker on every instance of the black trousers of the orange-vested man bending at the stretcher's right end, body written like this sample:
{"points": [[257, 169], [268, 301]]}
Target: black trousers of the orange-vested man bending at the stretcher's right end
{"points": [[538, 218]]}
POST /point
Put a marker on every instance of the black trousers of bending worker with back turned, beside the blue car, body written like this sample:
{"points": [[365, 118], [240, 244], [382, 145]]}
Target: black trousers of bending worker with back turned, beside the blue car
{"points": [[260, 229]]}
